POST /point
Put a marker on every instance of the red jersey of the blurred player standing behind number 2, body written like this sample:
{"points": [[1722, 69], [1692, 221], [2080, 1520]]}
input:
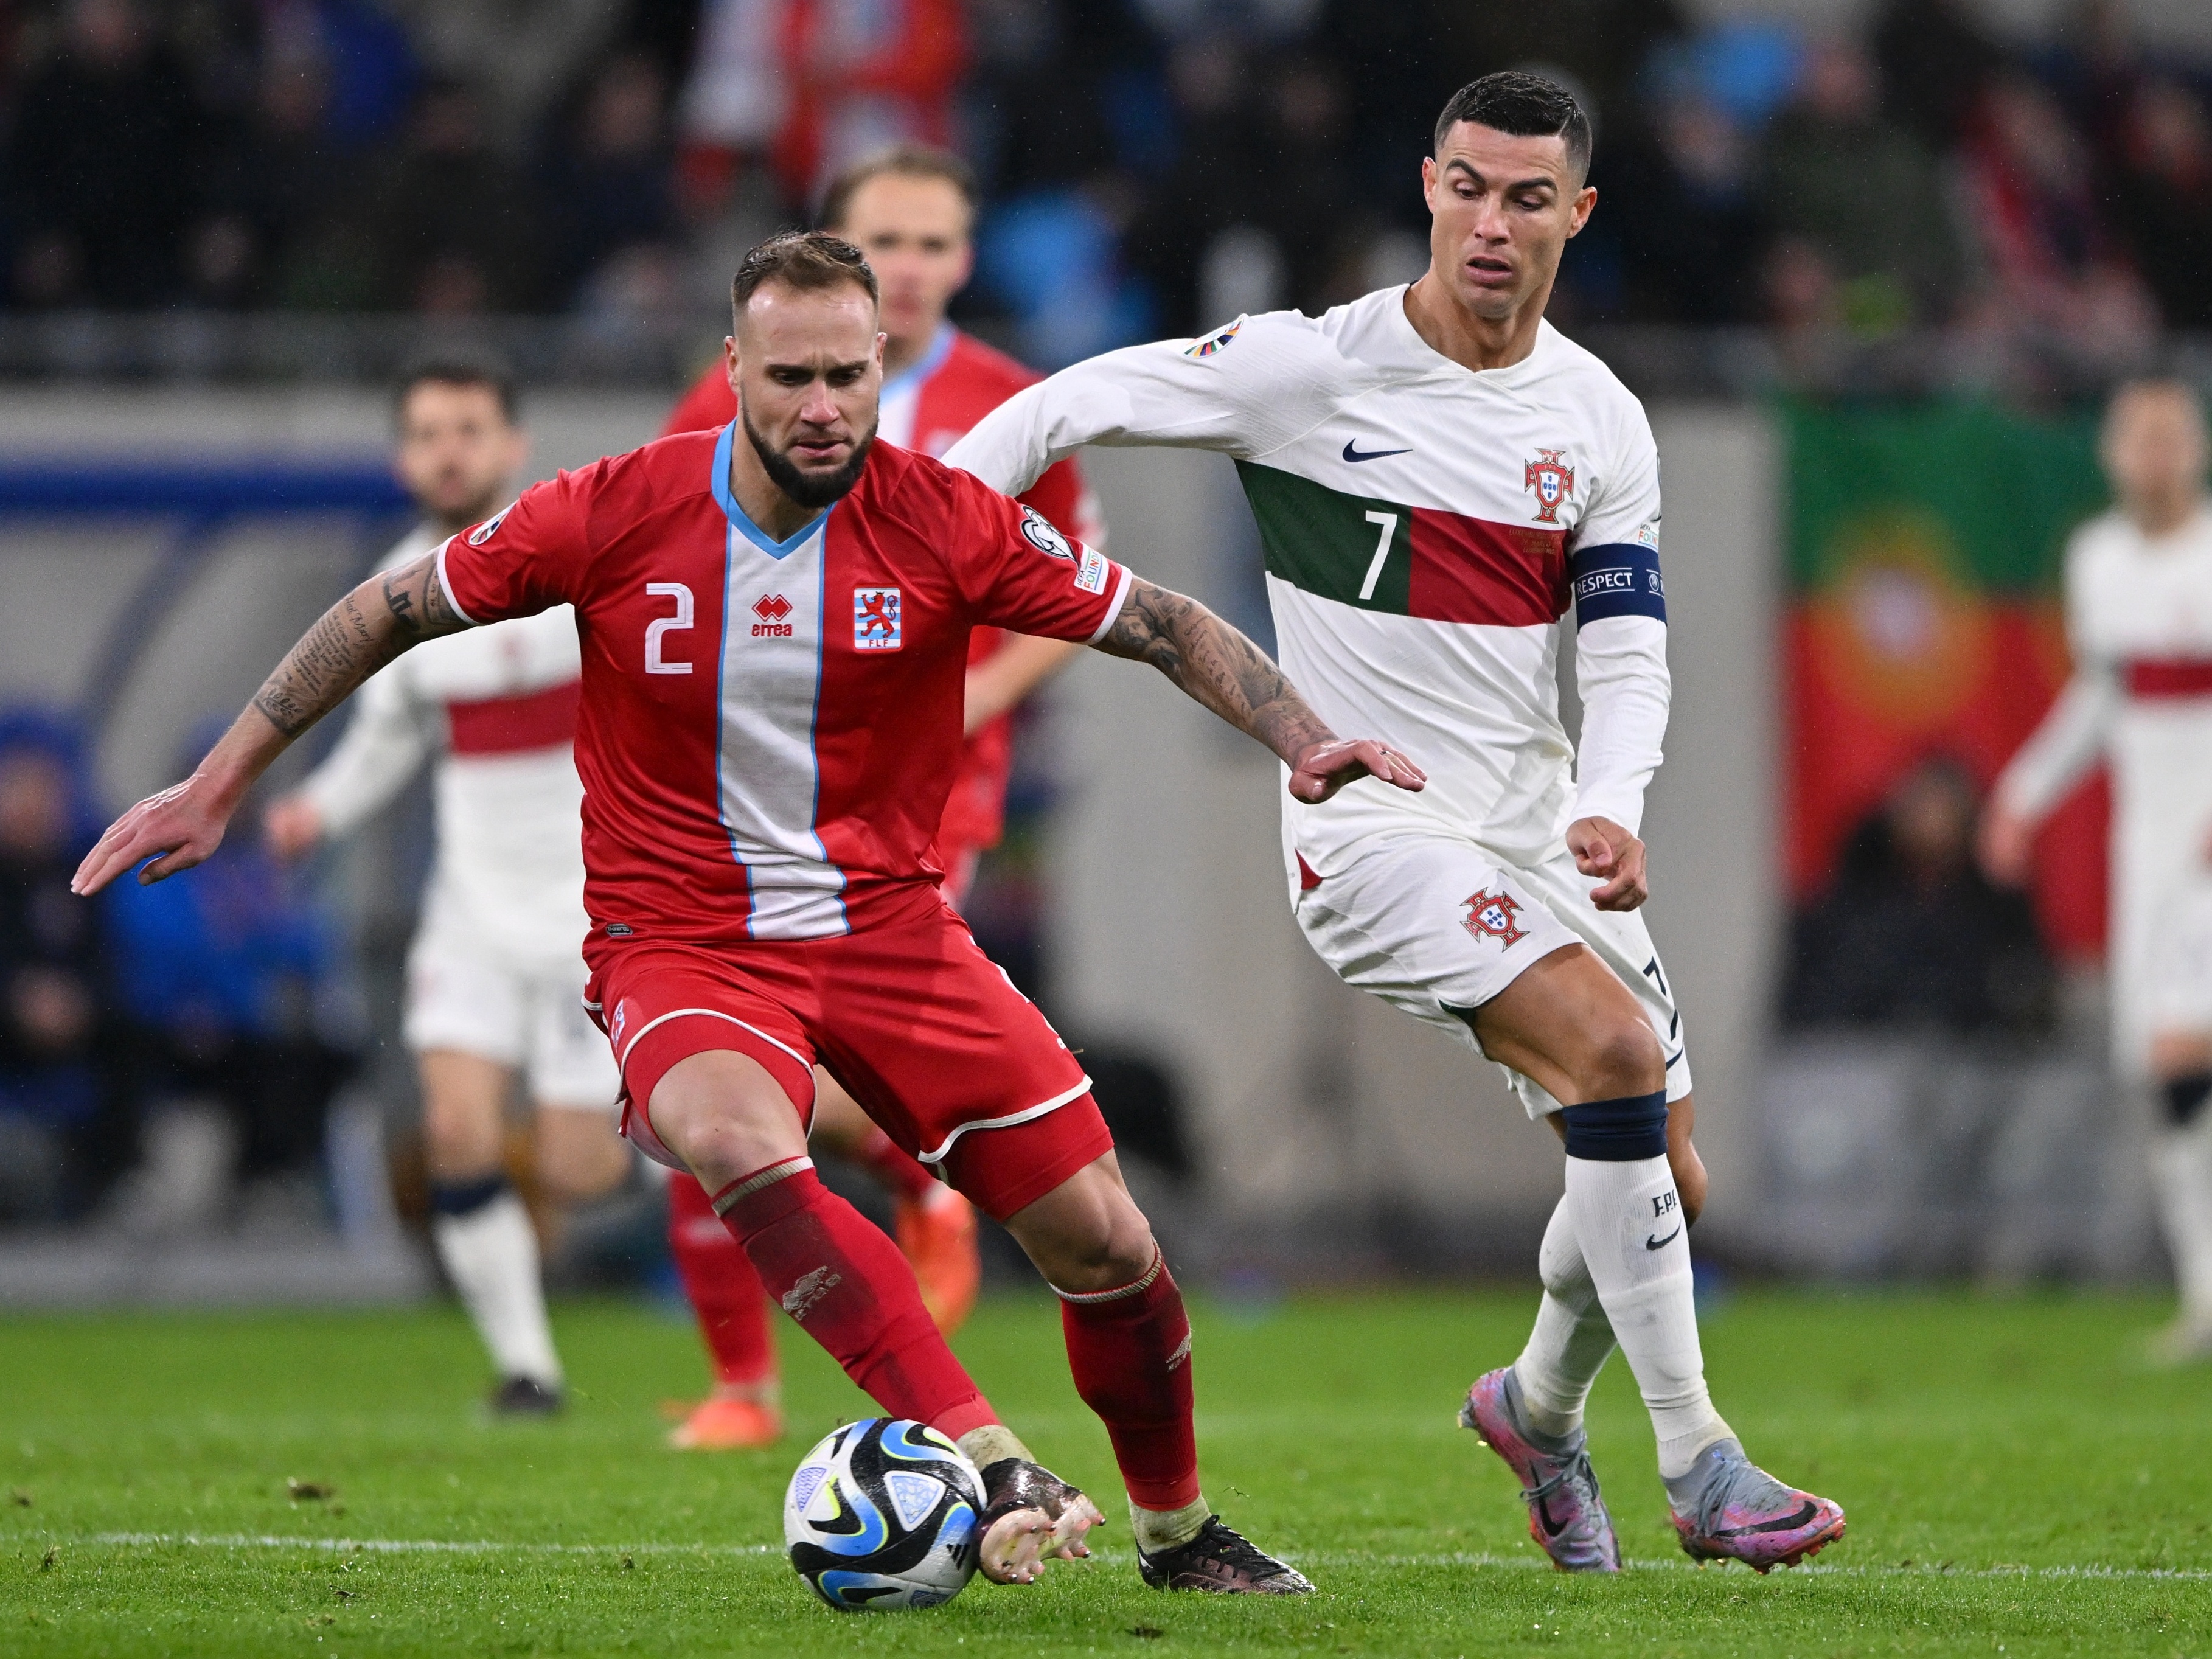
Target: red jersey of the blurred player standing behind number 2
{"points": [[930, 406]]}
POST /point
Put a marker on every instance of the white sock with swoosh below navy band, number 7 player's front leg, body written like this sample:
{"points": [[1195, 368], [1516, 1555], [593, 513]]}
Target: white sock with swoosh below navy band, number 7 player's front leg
{"points": [[1638, 1251]]}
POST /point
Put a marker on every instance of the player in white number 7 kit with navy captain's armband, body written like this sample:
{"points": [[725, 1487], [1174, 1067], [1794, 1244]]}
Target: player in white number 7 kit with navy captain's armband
{"points": [[1437, 479]]}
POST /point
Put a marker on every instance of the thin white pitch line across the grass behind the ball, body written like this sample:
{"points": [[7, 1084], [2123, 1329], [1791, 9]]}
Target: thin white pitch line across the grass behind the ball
{"points": [[1333, 1558]]}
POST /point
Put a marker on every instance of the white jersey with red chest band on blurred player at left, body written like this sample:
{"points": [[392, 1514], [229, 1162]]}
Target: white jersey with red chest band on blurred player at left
{"points": [[499, 711]]}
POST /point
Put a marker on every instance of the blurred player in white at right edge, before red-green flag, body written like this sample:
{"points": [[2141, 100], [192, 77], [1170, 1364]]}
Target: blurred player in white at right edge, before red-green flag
{"points": [[2140, 623]]}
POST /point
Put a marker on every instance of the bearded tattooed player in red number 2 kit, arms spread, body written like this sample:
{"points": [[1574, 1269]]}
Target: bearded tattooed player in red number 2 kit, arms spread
{"points": [[775, 632]]}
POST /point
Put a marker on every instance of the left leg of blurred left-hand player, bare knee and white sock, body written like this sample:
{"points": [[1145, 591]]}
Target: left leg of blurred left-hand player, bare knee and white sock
{"points": [[479, 1224]]}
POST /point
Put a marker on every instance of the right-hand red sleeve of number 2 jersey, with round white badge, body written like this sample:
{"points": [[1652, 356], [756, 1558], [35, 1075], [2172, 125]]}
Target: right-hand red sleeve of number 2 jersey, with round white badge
{"points": [[1021, 574]]}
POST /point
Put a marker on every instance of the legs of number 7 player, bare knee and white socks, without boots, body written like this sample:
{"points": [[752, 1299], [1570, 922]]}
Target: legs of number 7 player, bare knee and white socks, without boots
{"points": [[1569, 1025]]}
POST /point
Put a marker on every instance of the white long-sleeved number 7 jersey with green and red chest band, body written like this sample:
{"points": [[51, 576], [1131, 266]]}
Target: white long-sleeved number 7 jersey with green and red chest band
{"points": [[1428, 530]]}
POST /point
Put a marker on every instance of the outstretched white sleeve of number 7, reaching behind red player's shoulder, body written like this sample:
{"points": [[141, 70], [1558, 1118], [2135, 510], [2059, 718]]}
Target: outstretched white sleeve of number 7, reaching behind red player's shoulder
{"points": [[1242, 390]]}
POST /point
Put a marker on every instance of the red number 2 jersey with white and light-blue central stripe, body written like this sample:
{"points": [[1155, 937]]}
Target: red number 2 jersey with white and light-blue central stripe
{"points": [[769, 729]]}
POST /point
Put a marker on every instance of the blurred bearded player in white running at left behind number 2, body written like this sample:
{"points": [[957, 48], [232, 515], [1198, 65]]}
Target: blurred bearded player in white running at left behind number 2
{"points": [[497, 972]]}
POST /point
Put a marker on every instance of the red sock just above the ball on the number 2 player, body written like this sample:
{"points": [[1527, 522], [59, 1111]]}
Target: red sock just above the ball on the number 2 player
{"points": [[848, 1286]]}
